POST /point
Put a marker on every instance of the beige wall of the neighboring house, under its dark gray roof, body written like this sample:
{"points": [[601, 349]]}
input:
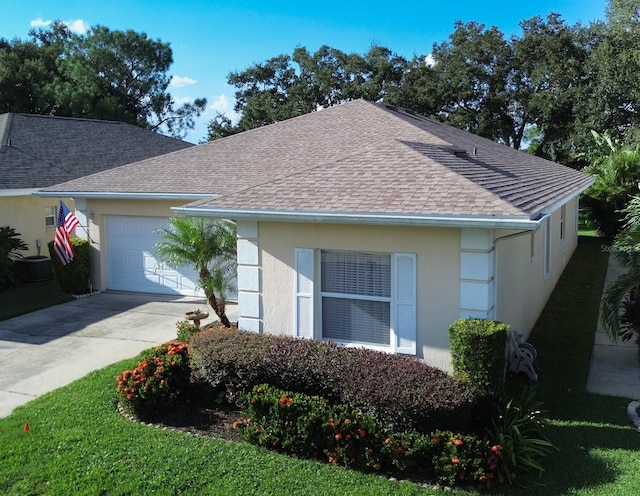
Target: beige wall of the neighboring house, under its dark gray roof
{"points": [[25, 213]]}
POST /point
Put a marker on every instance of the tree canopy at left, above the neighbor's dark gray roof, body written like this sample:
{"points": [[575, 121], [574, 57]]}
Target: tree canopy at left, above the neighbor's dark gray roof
{"points": [[104, 74]]}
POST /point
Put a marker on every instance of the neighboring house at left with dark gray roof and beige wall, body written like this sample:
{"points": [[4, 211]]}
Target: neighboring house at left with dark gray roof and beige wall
{"points": [[37, 151]]}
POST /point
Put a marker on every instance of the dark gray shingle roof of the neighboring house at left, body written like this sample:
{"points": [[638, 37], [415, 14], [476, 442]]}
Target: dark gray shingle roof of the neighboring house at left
{"points": [[37, 151]]}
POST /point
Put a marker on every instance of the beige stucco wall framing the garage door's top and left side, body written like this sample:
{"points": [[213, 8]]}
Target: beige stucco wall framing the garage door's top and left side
{"points": [[98, 210]]}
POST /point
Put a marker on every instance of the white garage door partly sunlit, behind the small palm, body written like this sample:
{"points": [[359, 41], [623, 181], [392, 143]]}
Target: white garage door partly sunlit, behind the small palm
{"points": [[132, 265]]}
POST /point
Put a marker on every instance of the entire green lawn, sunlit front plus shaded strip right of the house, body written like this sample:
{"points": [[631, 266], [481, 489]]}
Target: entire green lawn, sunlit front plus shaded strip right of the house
{"points": [[79, 444]]}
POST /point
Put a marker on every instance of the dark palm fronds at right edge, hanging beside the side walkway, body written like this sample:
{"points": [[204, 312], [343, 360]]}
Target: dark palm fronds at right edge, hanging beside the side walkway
{"points": [[624, 293]]}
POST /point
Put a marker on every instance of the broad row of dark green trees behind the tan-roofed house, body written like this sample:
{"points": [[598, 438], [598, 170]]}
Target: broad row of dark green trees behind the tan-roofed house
{"points": [[544, 89]]}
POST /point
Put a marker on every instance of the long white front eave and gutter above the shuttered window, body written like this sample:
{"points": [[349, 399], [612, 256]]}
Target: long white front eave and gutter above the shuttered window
{"points": [[432, 220]]}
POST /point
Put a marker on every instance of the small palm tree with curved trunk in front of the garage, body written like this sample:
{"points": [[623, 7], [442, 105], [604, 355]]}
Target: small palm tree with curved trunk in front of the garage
{"points": [[208, 246]]}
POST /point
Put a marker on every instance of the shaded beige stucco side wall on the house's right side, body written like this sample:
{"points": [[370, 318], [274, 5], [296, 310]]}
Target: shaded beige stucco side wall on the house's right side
{"points": [[522, 289]]}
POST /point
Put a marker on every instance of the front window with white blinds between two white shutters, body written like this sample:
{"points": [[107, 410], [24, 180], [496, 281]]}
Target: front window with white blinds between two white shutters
{"points": [[356, 297]]}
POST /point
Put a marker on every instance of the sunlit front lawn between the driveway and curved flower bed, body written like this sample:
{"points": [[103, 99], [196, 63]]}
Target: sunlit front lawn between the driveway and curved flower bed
{"points": [[79, 444]]}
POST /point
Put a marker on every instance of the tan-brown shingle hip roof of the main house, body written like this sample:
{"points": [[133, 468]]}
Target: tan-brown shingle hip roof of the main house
{"points": [[359, 158]]}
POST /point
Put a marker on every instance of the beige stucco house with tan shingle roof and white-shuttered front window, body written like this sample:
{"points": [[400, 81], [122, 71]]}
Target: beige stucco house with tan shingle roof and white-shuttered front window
{"points": [[365, 224]]}
